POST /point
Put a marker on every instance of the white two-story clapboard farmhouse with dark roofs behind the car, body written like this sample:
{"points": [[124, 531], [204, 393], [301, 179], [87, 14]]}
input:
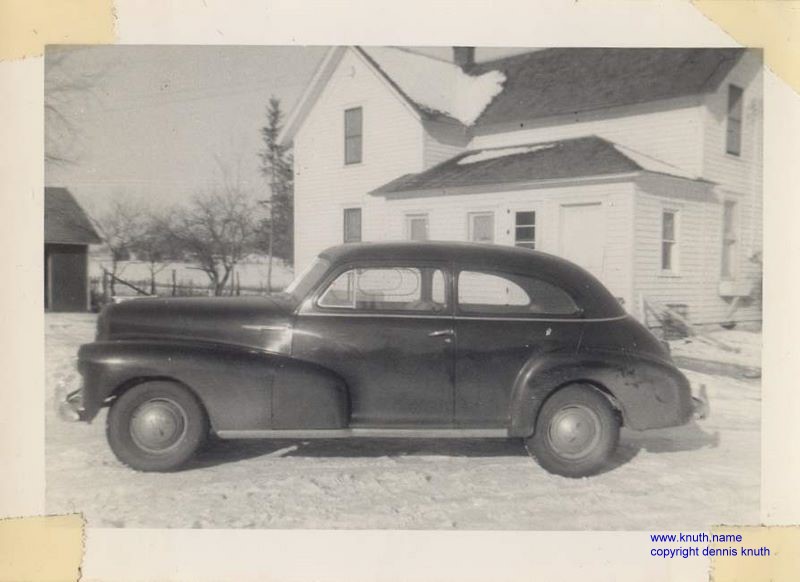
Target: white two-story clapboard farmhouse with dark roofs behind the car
{"points": [[642, 165]]}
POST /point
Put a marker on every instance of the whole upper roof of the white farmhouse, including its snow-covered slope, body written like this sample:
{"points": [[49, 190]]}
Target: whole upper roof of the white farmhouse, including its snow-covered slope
{"points": [[531, 85]]}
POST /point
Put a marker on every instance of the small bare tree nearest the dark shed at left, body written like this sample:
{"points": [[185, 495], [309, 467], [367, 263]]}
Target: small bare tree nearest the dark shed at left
{"points": [[121, 227]]}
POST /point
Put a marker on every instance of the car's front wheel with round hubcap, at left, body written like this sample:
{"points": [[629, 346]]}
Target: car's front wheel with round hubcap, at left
{"points": [[156, 426]]}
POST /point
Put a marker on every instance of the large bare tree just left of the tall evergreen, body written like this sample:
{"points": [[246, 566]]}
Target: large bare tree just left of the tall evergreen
{"points": [[216, 229]]}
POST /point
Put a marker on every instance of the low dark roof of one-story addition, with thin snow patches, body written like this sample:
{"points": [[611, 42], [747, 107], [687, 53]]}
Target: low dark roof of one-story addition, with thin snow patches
{"points": [[559, 160]]}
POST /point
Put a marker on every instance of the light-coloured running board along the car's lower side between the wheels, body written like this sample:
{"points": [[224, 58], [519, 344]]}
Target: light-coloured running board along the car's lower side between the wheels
{"points": [[410, 433]]}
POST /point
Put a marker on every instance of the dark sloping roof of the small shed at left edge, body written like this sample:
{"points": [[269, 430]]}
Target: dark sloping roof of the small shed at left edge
{"points": [[65, 221]]}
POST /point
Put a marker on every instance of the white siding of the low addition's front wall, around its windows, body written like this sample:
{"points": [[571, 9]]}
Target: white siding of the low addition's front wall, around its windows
{"points": [[448, 220]]}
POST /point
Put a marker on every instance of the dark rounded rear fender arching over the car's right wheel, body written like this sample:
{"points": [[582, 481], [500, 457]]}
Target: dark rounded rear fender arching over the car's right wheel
{"points": [[648, 392]]}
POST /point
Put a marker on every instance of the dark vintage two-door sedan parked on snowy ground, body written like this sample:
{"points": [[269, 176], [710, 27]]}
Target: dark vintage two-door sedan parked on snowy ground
{"points": [[433, 339]]}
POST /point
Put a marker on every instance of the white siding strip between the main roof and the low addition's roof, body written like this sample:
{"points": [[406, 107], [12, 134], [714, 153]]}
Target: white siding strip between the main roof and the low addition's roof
{"points": [[668, 130]]}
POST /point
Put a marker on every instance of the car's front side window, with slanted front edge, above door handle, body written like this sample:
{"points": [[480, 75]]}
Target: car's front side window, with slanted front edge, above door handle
{"points": [[387, 289]]}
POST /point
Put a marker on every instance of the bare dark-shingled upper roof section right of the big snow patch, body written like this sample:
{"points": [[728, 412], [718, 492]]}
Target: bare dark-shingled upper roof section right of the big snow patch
{"points": [[560, 81]]}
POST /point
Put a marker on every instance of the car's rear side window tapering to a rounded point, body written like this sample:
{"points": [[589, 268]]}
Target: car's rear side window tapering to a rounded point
{"points": [[511, 294]]}
